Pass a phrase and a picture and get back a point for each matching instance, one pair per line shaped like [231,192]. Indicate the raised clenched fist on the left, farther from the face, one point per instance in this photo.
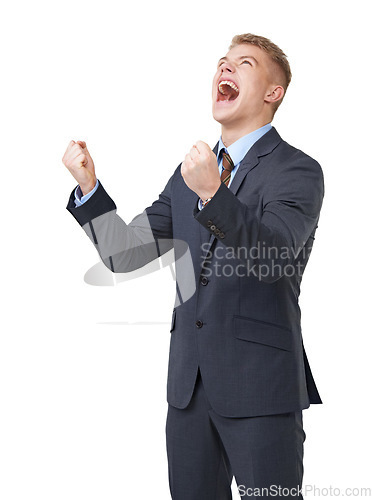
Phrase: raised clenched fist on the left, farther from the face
[80,164]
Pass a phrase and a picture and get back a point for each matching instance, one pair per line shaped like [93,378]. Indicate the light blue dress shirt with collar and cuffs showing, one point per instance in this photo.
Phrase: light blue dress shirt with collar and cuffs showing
[237,150]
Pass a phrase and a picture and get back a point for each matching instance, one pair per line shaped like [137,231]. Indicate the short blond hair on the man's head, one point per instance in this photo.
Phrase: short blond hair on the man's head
[276,54]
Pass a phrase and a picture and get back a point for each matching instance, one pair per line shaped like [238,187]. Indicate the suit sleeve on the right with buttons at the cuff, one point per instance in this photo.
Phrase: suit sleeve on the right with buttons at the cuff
[288,220]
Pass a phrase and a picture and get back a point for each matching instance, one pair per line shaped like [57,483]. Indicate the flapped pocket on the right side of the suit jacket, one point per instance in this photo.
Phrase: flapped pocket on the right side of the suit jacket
[260,332]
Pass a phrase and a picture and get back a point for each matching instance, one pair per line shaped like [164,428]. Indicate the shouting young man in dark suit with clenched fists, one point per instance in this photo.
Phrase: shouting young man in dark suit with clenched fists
[247,213]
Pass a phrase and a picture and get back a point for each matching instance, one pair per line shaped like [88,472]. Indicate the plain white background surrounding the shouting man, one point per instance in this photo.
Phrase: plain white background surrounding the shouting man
[83,368]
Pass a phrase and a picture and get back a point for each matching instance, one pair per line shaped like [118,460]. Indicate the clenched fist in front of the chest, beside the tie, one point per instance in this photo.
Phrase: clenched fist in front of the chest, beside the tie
[200,170]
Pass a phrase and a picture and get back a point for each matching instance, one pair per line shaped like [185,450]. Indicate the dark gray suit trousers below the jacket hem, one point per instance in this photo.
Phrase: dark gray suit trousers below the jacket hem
[205,450]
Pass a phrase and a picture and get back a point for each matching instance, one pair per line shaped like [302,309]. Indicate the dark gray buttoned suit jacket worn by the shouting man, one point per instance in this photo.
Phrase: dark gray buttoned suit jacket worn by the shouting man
[247,251]
